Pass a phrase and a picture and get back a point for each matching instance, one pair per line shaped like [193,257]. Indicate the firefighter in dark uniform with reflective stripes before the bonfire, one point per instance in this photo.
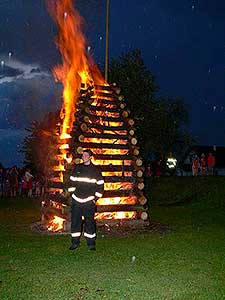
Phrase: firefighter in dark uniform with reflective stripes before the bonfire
[86,185]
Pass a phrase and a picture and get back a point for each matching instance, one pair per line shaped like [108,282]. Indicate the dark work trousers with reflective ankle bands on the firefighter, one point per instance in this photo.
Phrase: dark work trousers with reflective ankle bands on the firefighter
[87,211]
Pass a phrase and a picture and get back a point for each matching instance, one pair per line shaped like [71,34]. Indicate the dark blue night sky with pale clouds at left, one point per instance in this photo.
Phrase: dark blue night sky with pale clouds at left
[182,42]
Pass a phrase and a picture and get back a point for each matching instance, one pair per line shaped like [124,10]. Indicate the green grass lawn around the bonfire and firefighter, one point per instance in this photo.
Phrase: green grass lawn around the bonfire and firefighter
[186,263]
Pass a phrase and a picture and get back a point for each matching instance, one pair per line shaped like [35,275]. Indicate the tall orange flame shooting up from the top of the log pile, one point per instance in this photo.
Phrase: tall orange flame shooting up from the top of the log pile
[77,66]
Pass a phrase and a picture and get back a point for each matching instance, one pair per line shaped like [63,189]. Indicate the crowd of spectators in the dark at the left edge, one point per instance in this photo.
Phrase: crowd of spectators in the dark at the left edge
[20,182]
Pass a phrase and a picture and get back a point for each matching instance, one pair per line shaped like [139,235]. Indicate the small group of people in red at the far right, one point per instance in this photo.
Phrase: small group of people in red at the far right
[204,165]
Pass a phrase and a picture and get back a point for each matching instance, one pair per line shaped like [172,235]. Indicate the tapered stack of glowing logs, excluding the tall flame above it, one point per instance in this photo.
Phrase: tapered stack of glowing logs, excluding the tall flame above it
[102,124]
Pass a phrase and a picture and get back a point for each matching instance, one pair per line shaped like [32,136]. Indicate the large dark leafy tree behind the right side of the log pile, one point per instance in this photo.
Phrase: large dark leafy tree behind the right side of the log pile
[160,123]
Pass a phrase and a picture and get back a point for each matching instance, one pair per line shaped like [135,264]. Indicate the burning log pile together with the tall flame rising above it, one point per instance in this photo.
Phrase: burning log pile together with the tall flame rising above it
[93,116]
